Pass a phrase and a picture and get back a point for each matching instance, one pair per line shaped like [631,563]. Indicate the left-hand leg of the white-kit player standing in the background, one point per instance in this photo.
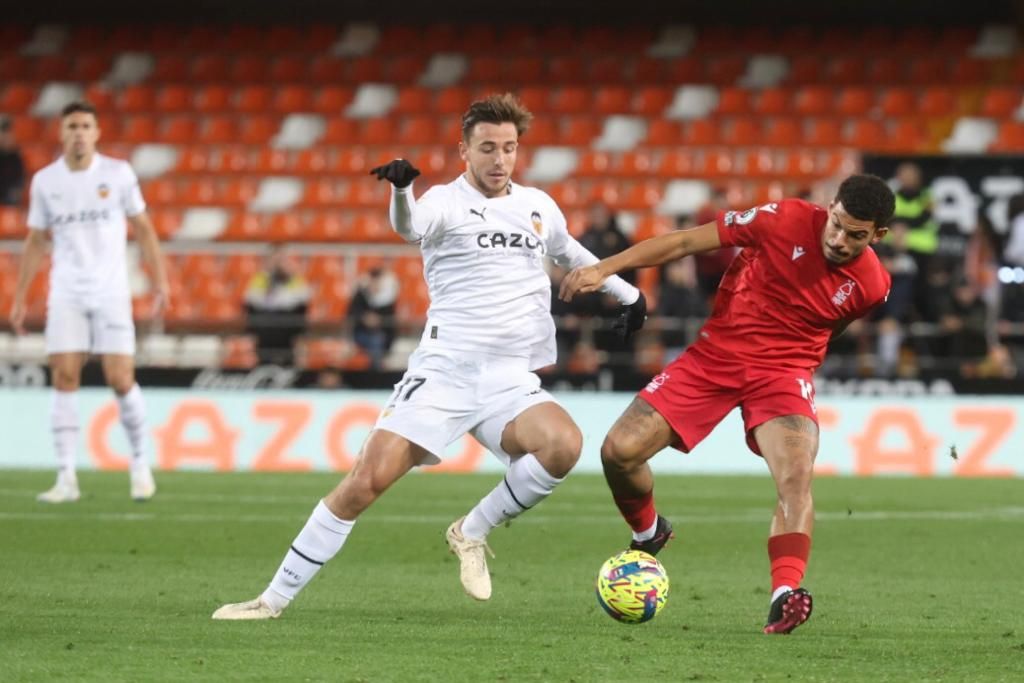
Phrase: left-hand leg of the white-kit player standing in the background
[66,372]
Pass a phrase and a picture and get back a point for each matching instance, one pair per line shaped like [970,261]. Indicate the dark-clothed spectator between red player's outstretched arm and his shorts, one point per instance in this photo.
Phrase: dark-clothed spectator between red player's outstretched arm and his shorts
[678,301]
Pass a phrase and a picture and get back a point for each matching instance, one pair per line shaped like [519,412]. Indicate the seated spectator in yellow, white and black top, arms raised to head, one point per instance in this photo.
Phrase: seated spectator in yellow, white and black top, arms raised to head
[277,301]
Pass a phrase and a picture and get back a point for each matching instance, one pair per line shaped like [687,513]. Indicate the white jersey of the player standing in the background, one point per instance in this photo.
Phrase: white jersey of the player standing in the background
[86,212]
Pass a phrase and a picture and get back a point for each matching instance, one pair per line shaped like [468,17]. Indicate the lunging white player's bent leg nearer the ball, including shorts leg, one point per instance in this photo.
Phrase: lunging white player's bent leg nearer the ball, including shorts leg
[541,444]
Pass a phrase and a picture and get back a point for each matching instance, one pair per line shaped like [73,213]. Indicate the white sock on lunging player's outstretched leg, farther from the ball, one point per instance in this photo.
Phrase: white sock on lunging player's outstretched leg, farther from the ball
[319,541]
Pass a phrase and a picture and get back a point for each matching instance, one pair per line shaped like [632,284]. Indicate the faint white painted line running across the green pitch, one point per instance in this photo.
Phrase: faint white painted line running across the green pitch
[1005,515]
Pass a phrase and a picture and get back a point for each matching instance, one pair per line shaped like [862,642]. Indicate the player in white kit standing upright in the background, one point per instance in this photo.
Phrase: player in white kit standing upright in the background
[81,202]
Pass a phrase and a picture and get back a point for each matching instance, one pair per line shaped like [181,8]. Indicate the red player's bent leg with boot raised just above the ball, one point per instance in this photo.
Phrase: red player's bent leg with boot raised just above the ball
[639,434]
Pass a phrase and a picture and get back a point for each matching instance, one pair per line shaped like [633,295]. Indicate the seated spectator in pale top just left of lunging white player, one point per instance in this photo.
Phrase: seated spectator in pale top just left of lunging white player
[372,314]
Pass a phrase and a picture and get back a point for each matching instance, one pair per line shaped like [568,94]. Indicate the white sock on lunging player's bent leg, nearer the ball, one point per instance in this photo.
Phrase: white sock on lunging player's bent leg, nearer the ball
[526,485]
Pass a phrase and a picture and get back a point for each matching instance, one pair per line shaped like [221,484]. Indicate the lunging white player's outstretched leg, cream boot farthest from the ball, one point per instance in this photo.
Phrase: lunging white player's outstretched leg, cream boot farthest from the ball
[385,459]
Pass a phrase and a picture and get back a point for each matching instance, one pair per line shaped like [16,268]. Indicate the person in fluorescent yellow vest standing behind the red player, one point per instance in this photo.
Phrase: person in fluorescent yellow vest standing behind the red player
[914,207]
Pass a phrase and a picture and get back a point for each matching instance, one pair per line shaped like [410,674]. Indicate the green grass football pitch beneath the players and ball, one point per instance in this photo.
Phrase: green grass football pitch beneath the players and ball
[913,580]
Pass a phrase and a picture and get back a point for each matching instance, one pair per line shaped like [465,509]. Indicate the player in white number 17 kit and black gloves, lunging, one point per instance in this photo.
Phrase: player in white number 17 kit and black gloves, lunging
[484,240]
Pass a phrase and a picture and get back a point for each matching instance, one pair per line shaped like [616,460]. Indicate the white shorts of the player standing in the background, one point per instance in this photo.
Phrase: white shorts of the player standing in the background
[98,327]
